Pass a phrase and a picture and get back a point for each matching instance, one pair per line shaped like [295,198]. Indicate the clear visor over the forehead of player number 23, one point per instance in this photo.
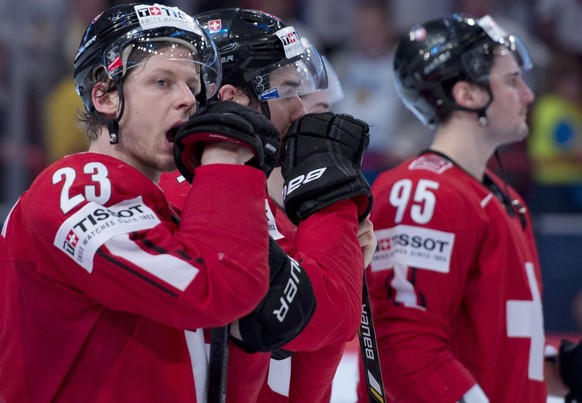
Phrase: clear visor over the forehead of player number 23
[182,46]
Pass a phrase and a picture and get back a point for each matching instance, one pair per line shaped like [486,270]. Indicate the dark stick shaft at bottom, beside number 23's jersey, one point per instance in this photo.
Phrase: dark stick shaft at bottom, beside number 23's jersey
[218,365]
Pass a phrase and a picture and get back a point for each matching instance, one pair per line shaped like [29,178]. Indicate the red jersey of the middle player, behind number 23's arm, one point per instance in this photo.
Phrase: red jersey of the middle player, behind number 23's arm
[326,246]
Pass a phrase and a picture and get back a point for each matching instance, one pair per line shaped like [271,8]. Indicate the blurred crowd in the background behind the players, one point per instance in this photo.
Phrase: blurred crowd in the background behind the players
[38,103]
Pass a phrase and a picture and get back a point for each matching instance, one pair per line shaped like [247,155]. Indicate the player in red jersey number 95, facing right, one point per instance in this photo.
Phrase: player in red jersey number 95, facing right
[455,283]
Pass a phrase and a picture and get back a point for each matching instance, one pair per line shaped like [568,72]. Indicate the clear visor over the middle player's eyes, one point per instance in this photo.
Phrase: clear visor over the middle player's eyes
[288,78]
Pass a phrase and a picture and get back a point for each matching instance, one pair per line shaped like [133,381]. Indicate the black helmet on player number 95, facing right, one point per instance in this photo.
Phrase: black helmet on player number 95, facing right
[433,56]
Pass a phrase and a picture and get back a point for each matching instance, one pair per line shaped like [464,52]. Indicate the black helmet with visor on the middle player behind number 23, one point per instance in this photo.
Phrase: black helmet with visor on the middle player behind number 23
[253,45]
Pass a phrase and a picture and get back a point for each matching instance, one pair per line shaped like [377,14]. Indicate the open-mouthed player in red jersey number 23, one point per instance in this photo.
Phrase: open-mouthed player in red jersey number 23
[104,287]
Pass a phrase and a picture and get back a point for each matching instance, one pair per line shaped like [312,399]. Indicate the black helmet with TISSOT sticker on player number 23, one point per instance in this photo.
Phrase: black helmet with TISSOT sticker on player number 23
[112,35]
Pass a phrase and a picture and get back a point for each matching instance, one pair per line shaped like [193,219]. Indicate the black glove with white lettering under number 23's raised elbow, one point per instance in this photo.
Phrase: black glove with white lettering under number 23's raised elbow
[285,310]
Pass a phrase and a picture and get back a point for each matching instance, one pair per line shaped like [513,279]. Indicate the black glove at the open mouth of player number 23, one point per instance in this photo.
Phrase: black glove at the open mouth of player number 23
[226,121]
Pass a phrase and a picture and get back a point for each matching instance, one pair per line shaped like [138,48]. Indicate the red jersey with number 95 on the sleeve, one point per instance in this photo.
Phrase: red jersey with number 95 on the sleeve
[455,286]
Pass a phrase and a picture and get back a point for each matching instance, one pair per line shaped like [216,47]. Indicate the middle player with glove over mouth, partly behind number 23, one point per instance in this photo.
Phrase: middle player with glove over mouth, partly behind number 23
[266,67]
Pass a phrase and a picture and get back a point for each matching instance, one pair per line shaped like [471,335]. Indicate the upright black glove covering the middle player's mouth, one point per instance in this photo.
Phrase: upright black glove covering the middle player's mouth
[321,164]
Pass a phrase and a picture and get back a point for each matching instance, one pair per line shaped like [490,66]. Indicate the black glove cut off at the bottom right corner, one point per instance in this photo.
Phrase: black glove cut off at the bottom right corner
[570,361]
